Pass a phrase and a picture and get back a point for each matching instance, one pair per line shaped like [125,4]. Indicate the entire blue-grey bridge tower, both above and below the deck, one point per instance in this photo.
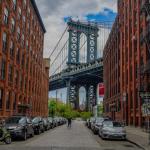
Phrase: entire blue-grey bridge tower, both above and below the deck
[75,29]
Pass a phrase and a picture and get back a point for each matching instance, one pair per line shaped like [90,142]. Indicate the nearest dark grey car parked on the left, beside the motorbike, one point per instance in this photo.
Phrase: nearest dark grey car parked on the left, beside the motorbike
[19,126]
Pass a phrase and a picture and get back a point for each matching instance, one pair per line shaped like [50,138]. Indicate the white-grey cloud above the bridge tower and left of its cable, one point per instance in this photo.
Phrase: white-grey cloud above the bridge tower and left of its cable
[53,12]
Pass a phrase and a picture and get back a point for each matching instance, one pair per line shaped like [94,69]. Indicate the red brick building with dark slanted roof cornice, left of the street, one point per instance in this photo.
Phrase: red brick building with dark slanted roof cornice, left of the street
[23,71]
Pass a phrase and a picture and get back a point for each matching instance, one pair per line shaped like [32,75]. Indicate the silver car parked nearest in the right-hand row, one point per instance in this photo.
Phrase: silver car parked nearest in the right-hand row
[112,130]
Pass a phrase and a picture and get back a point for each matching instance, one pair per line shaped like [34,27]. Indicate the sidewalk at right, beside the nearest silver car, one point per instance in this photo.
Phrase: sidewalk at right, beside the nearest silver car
[136,135]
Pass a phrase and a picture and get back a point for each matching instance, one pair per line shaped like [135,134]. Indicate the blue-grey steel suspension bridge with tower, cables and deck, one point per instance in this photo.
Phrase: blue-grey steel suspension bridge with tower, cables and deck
[76,60]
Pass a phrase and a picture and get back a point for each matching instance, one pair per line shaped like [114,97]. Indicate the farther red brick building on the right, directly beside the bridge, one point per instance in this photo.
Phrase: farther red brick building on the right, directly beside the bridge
[112,98]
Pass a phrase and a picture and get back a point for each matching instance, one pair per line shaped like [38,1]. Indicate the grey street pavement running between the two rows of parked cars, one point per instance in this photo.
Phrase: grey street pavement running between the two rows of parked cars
[62,138]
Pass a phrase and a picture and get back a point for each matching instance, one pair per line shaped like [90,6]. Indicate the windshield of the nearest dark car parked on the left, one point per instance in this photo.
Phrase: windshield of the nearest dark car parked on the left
[15,120]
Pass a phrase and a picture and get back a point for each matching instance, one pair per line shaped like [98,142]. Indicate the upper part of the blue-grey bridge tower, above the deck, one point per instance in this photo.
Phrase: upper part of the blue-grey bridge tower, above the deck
[75,29]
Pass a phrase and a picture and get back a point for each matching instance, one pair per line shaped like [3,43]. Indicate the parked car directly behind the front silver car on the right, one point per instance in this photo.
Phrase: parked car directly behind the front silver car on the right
[97,123]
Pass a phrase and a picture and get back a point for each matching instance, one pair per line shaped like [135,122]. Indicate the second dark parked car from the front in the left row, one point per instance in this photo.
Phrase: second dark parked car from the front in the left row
[38,125]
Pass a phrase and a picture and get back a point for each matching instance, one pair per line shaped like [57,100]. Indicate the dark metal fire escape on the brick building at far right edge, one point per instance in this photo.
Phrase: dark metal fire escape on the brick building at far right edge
[145,39]
